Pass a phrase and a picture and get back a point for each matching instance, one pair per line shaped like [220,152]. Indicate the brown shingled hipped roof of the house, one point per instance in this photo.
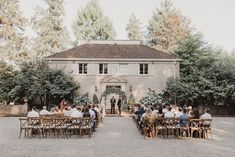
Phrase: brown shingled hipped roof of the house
[112,51]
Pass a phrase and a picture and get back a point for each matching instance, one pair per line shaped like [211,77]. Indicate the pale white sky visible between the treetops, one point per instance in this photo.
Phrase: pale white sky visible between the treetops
[214,18]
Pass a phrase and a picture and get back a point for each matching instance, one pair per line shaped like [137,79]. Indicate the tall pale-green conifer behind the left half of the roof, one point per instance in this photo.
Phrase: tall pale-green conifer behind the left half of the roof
[91,23]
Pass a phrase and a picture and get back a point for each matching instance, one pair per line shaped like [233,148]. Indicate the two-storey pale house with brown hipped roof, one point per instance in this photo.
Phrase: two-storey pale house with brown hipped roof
[127,65]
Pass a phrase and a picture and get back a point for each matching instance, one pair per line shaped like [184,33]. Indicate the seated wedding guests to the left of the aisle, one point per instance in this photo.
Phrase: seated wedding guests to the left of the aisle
[69,111]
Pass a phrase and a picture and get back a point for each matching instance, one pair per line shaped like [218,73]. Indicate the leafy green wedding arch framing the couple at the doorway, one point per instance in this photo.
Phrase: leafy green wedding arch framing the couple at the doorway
[110,91]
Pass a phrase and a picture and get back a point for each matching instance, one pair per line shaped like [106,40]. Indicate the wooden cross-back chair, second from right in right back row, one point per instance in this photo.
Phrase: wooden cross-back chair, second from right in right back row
[195,125]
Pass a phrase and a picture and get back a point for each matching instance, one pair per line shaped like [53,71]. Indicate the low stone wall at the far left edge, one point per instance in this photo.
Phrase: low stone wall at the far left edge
[13,110]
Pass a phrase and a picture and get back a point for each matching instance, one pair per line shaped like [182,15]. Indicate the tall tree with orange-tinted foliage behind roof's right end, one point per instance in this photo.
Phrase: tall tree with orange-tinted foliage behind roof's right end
[166,27]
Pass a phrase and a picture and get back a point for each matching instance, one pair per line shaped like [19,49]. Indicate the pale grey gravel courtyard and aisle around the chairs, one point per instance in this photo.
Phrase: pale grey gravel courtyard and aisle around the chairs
[118,137]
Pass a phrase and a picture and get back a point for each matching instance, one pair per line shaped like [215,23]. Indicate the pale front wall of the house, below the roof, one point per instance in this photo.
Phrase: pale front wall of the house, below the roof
[158,74]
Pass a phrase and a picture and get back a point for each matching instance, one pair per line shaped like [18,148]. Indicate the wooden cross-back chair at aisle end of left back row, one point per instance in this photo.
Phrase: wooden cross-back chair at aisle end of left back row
[86,126]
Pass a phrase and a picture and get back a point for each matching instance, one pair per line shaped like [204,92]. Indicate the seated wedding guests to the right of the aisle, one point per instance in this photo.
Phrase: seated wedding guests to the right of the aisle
[170,111]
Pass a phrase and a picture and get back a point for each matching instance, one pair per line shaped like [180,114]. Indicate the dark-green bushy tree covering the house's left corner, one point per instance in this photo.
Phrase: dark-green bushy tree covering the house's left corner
[36,79]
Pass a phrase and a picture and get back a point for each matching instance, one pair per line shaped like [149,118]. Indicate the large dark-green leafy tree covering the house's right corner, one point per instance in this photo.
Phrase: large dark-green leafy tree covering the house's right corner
[207,76]
